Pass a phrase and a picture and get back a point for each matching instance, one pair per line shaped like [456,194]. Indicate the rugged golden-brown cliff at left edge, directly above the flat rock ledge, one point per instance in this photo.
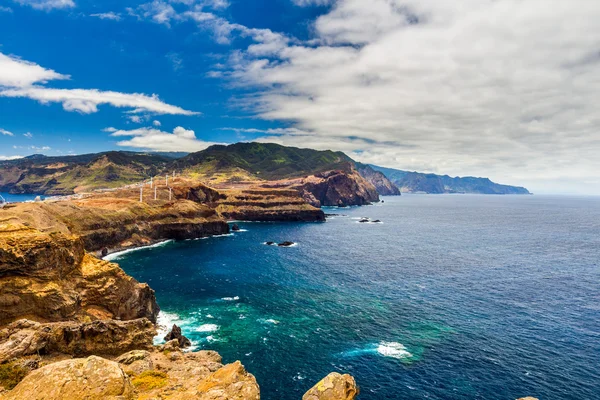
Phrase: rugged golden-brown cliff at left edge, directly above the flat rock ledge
[48,277]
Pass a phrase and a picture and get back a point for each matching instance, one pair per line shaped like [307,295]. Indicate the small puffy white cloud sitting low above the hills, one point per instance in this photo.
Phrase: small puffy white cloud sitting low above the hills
[154,139]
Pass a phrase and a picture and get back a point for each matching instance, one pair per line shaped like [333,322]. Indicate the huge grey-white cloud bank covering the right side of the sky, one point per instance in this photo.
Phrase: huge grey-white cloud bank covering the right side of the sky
[504,88]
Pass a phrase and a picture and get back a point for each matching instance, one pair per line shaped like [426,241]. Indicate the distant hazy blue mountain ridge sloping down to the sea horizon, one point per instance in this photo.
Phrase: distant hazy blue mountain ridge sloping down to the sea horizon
[414,182]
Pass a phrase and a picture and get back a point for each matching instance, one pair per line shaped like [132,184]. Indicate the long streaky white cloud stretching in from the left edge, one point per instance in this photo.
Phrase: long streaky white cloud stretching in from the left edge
[20,78]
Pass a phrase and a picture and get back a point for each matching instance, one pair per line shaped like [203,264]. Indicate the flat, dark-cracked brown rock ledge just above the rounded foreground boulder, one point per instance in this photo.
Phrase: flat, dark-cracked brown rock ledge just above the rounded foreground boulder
[24,337]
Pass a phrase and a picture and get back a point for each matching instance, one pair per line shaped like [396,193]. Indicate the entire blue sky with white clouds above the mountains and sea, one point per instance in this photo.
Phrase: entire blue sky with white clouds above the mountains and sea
[506,89]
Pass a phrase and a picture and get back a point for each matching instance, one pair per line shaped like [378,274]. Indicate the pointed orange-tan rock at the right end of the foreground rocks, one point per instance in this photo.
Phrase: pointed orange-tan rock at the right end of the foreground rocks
[229,383]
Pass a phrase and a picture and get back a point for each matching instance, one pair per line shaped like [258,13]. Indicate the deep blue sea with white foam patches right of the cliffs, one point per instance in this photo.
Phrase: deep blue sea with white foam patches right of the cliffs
[451,297]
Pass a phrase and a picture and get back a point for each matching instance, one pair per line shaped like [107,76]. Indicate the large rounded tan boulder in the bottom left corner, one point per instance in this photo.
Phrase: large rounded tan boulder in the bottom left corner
[92,378]
